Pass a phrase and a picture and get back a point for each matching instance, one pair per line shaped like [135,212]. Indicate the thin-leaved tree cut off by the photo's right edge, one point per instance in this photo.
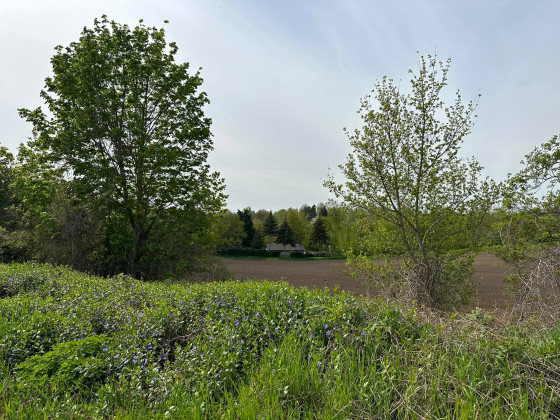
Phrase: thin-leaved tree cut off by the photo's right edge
[531,215]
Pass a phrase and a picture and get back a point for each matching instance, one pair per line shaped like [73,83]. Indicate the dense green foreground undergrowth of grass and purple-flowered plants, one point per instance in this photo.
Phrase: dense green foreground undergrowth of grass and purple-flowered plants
[77,346]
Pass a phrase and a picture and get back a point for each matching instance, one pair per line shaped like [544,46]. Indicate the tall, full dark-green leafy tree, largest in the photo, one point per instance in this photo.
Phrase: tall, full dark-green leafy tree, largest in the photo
[126,124]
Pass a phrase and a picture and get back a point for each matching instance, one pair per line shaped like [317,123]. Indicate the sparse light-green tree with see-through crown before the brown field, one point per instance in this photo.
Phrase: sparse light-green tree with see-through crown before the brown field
[405,169]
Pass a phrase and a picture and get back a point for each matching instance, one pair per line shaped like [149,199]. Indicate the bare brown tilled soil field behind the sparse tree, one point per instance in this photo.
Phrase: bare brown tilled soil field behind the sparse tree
[329,273]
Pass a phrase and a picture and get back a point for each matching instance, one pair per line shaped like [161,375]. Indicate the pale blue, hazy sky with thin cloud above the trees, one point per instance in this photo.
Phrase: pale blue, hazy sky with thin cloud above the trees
[285,77]
